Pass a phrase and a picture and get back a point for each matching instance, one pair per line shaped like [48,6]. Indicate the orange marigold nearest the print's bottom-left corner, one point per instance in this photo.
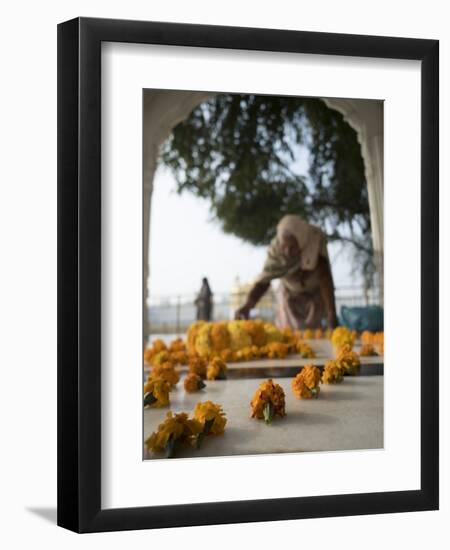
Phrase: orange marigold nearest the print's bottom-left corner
[175,430]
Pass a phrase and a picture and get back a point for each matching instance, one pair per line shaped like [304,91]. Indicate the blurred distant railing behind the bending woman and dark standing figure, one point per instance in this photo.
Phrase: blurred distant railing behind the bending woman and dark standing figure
[175,313]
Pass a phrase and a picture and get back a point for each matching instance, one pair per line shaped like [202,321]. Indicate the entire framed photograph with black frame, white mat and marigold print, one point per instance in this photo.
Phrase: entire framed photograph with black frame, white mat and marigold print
[242,215]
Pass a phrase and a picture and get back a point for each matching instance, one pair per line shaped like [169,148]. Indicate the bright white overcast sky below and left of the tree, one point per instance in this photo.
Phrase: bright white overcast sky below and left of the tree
[186,245]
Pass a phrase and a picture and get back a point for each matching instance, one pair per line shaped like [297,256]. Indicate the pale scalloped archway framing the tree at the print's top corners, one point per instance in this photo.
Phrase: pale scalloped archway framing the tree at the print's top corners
[164,109]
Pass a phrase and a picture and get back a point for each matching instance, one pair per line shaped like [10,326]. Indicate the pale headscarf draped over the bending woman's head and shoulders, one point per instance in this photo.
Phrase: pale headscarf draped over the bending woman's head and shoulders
[311,241]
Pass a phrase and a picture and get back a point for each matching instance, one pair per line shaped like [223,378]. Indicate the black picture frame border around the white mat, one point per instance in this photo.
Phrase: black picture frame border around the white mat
[79,274]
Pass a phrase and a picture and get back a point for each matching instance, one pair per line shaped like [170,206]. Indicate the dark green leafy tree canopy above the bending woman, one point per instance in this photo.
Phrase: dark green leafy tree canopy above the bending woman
[241,153]
